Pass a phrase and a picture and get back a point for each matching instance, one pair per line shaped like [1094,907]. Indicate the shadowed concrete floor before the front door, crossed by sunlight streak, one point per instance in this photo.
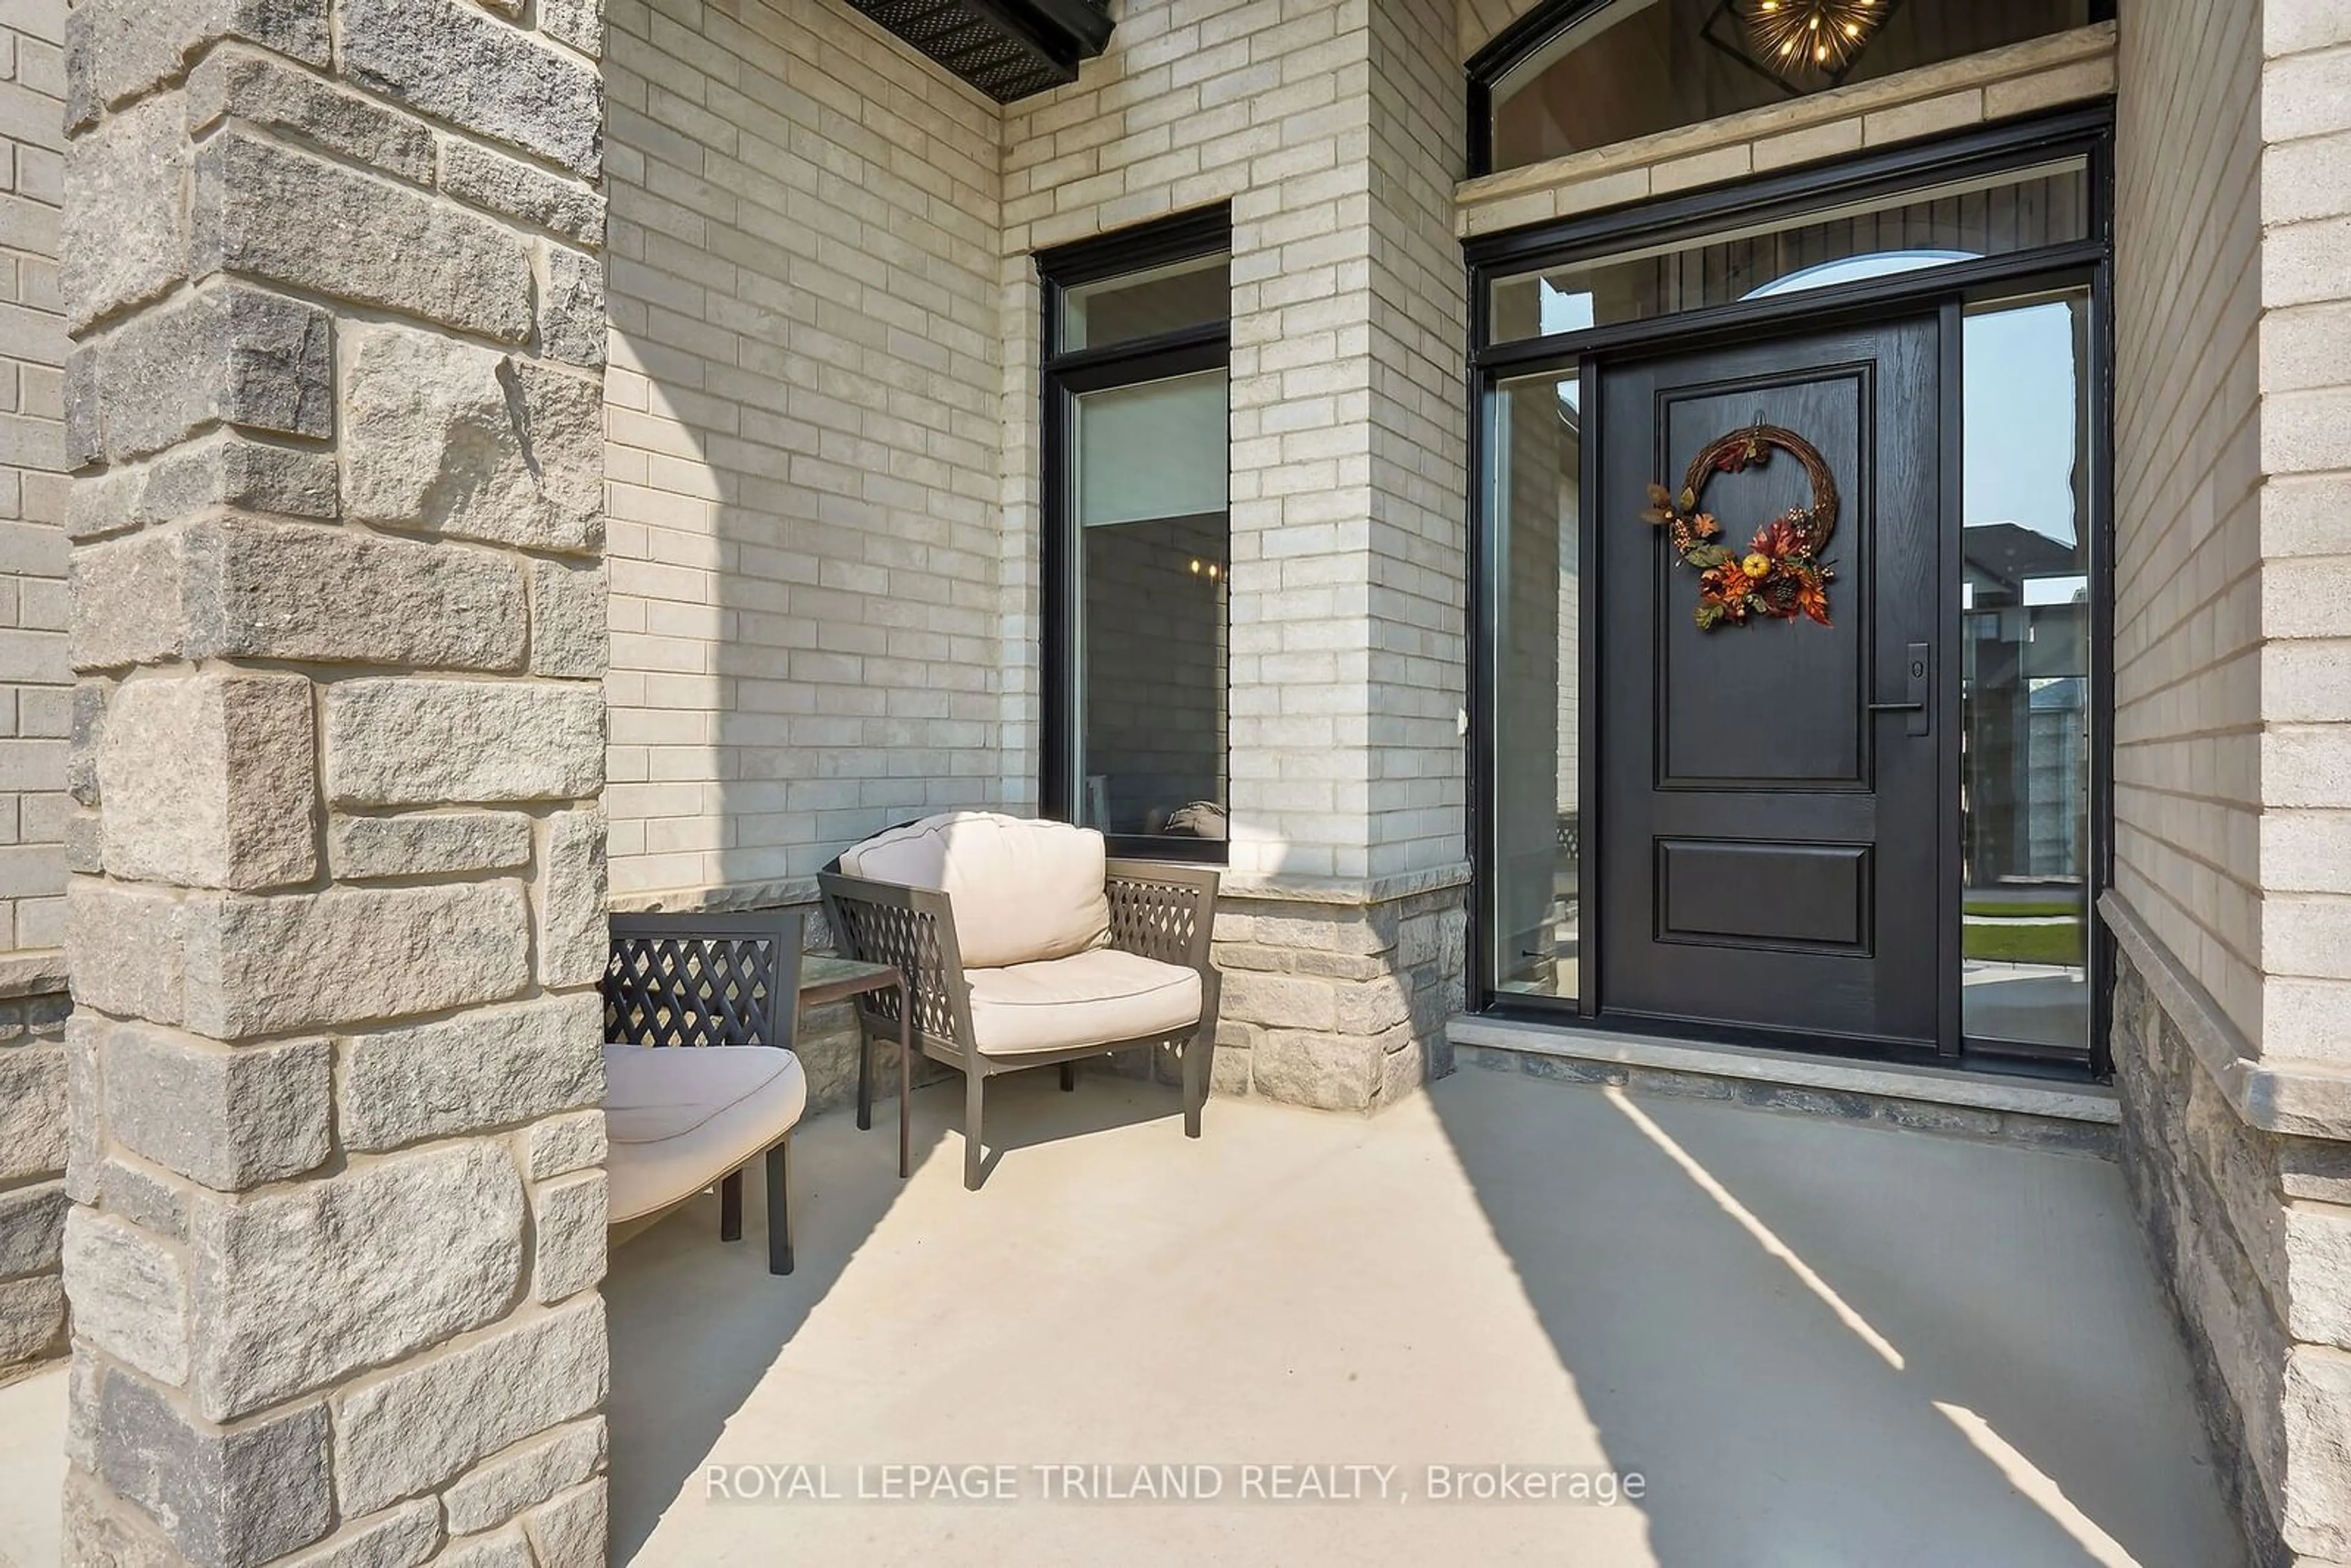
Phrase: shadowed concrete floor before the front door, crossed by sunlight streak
[1849,1346]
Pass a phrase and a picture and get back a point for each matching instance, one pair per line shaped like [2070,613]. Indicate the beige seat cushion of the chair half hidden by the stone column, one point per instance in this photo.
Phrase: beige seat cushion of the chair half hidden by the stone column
[685,1118]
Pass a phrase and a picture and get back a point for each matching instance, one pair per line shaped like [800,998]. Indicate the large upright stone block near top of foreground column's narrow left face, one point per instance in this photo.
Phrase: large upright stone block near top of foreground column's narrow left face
[126,227]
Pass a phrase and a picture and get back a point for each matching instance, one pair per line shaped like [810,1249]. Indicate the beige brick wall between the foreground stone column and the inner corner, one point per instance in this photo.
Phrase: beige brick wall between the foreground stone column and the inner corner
[805,453]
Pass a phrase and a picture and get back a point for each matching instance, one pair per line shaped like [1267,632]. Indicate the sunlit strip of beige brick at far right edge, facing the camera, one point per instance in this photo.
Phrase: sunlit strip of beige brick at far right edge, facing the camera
[2305,460]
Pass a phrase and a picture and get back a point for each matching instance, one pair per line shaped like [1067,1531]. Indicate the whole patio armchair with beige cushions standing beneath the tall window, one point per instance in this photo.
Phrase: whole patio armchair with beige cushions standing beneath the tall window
[1024,944]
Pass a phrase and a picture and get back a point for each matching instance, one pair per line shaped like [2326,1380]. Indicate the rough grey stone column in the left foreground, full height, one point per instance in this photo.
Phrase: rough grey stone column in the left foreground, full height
[335,927]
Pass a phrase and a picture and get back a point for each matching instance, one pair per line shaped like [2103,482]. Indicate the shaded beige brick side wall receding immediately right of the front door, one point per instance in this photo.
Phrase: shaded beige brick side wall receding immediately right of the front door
[2188,615]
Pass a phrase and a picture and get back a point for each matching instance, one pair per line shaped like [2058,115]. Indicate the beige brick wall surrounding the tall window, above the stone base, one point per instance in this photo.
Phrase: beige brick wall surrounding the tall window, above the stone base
[1334,130]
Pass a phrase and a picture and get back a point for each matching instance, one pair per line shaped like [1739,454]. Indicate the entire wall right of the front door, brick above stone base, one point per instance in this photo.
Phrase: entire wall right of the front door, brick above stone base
[2232,815]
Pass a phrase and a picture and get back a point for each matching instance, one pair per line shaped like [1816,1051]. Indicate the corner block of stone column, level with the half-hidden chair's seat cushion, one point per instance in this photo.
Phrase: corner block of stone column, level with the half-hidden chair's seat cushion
[229,1118]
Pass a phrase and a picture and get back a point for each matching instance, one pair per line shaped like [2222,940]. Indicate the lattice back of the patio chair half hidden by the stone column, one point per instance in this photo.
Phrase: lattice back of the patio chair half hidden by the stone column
[704,979]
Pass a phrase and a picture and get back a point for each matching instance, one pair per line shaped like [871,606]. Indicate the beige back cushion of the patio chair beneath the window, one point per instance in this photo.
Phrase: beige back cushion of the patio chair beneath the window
[1022,890]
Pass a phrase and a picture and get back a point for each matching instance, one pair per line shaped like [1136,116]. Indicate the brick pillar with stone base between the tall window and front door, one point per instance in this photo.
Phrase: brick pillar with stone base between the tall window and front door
[1341,930]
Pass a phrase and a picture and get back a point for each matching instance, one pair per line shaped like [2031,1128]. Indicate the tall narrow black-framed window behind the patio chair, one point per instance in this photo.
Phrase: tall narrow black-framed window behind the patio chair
[1139,544]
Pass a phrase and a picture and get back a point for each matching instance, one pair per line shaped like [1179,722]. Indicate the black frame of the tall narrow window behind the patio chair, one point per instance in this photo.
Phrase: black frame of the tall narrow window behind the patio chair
[1064,375]
